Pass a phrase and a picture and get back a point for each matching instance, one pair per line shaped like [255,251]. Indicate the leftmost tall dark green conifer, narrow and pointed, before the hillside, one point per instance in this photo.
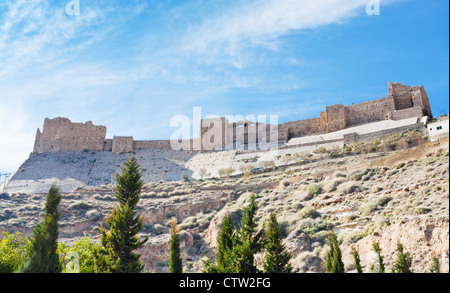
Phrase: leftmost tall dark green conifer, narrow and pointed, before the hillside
[44,245]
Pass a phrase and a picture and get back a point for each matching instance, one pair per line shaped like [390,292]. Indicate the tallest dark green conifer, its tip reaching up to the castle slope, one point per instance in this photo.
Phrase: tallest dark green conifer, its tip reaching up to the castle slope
[116,254]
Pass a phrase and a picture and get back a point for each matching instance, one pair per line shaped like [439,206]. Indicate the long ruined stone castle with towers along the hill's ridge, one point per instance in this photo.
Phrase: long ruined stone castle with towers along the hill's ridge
[402,102]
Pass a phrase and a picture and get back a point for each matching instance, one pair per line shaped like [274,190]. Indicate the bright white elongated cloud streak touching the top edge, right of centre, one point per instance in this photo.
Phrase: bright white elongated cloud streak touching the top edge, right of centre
[261,22]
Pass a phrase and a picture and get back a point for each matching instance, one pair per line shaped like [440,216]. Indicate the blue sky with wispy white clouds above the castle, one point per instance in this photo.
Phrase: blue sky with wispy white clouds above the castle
[133,65]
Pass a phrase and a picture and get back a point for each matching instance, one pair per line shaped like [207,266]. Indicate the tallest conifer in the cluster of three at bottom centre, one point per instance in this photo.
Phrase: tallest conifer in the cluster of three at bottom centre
[248,242]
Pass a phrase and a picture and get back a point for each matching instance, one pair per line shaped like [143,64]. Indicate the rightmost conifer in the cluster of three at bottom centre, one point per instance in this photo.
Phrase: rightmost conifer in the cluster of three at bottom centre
[276,259]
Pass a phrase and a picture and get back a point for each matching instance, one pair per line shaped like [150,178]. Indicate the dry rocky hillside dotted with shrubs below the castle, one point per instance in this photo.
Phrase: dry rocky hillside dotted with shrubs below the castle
[376,194]
